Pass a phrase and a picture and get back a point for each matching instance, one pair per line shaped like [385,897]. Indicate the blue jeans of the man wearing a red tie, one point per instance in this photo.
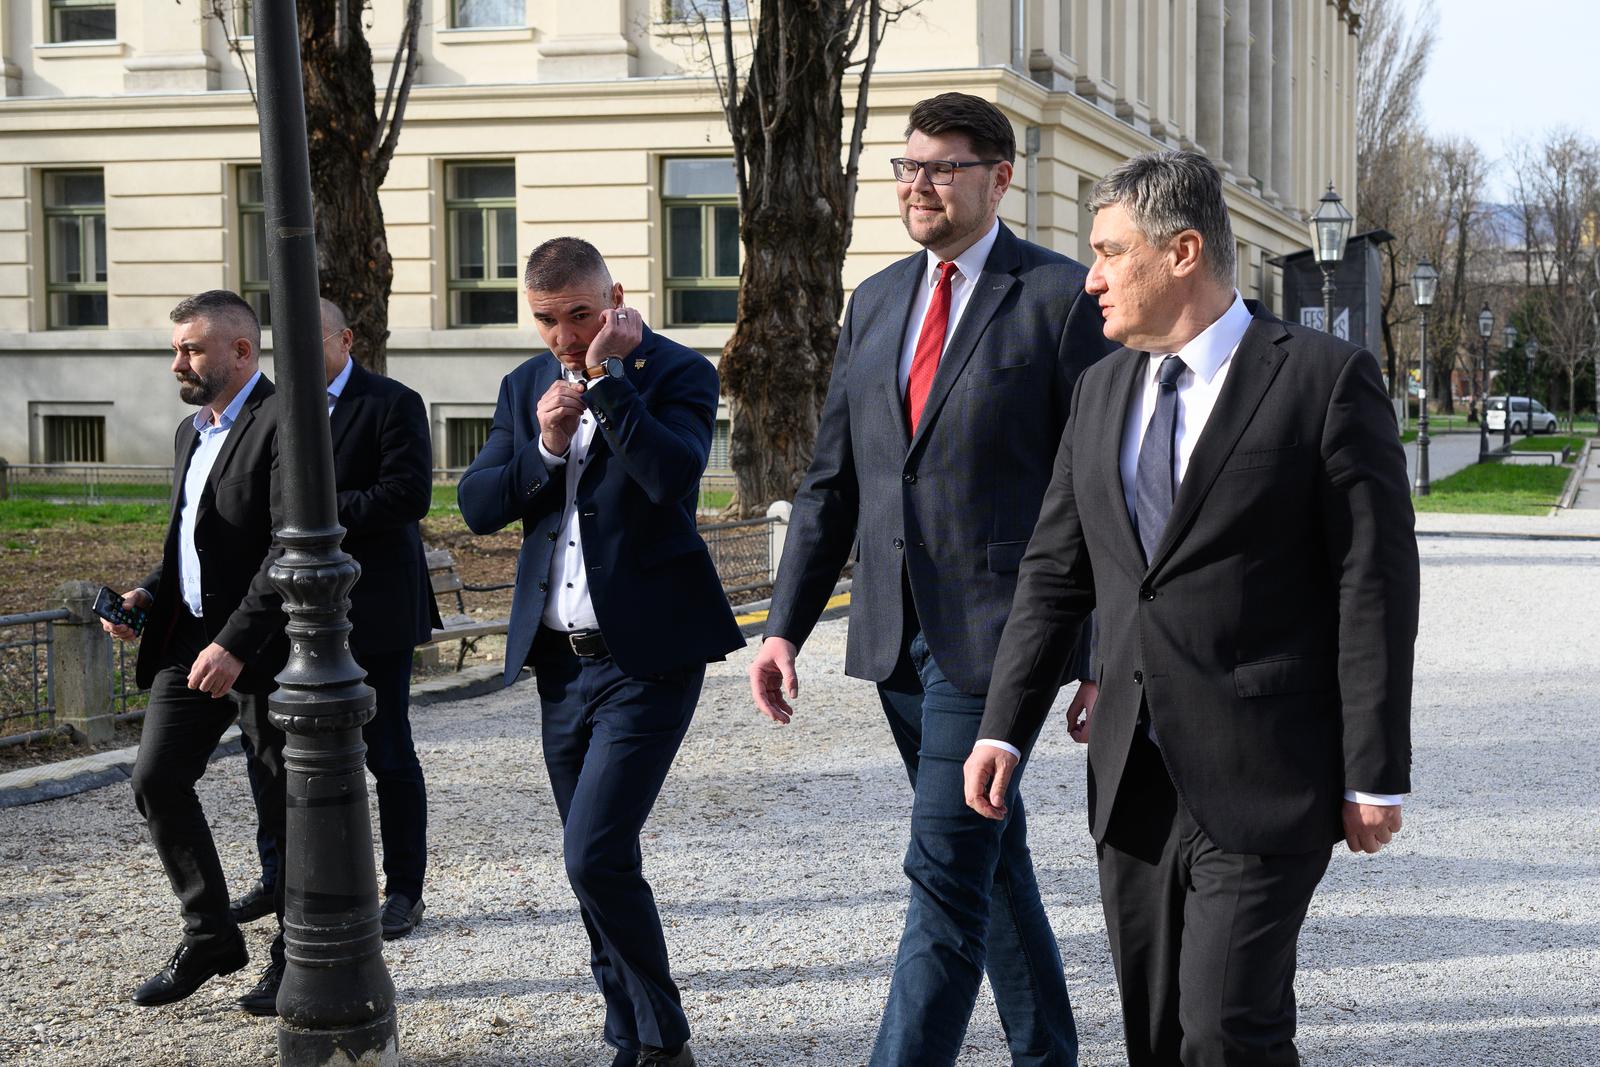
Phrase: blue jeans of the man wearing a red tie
[974,898]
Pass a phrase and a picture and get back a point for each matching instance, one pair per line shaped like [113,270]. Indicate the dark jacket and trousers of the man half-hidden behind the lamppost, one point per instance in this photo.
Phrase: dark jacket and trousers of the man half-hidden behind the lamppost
[383,478]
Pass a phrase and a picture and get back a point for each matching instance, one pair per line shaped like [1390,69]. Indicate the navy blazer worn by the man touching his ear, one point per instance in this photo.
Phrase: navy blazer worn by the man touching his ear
[652,581]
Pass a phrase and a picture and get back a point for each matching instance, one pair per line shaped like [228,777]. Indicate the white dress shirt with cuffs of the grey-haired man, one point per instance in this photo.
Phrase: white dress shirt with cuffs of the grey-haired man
[1207,361]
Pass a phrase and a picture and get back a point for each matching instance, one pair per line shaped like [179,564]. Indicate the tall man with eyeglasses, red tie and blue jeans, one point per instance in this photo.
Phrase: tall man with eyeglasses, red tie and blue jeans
[950,394]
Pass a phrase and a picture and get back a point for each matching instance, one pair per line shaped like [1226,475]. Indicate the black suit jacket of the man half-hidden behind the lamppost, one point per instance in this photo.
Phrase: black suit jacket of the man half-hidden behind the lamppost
[383,465]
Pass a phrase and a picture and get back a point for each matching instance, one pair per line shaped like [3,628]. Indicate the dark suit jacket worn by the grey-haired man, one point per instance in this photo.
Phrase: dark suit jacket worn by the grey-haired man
[1271,637]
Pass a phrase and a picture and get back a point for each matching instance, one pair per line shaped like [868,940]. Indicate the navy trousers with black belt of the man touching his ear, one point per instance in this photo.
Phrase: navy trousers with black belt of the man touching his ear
[609,743]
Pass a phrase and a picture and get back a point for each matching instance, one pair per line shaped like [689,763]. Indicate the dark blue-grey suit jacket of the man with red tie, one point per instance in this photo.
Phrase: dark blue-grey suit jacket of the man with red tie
[950,510]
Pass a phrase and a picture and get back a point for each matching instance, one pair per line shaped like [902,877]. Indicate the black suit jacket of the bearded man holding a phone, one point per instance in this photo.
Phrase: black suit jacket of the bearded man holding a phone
[234,541]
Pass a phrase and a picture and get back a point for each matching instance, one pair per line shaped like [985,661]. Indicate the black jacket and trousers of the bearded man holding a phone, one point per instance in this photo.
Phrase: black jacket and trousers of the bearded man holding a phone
[242,613]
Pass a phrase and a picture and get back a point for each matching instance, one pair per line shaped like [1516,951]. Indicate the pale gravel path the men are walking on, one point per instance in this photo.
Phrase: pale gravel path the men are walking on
[775,857]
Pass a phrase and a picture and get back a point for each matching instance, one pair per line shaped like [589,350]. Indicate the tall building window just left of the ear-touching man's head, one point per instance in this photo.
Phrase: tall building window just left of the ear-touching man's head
[481,209]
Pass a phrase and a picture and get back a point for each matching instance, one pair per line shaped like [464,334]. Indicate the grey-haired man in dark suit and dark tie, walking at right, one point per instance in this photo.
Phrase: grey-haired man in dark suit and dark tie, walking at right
[1231,500]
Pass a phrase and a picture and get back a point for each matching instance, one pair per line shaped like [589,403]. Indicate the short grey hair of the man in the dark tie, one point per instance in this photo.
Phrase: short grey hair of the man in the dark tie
[1170,193]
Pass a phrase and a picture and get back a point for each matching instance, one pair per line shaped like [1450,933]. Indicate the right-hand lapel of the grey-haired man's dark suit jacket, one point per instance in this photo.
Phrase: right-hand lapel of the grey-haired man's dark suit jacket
[1250,375]
